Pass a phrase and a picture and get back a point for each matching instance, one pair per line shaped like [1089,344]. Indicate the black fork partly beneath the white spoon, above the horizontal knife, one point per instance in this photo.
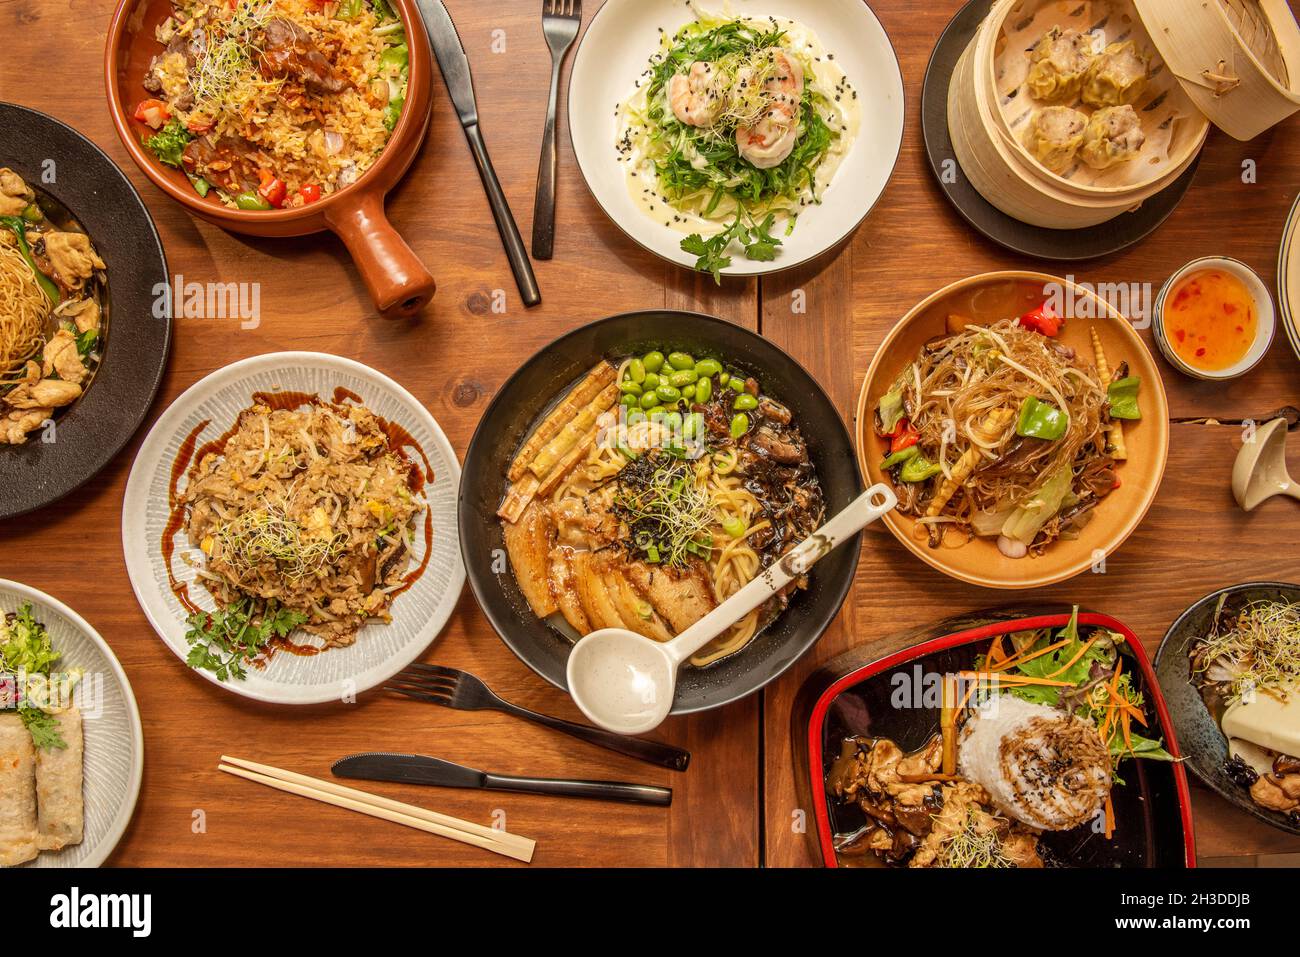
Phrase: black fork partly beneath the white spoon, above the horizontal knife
[462,691]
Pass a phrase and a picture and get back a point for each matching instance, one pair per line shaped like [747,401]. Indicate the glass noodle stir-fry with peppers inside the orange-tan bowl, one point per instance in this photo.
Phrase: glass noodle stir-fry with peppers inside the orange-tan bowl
[1004,431]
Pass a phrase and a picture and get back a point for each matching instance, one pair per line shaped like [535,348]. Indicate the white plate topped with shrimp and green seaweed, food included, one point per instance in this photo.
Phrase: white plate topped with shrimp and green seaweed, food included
[731,140]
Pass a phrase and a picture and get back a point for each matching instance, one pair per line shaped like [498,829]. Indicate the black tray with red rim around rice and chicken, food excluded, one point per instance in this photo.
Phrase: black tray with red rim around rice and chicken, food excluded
[859,694]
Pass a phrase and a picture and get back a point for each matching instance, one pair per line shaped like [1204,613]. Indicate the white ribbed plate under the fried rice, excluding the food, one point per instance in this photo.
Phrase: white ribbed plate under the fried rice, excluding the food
[380,651]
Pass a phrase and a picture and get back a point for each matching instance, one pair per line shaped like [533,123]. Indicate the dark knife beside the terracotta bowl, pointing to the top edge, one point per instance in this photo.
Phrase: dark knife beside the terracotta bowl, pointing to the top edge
[461,85]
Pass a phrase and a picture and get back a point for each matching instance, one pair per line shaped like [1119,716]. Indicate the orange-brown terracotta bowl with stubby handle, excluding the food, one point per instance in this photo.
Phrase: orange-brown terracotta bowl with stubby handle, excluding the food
[395,276]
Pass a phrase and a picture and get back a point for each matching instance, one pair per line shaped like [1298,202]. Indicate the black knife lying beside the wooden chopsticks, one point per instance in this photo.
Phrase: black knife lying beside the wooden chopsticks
[422,769]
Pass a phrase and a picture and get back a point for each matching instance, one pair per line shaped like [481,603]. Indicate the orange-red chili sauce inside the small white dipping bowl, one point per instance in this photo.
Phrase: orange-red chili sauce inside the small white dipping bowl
[1211,319]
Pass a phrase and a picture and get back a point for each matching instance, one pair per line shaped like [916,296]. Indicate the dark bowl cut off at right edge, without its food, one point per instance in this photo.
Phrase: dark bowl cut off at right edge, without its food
[1204,743]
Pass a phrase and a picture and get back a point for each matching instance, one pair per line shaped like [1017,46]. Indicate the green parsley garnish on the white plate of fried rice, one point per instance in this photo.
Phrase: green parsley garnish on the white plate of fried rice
[227,640]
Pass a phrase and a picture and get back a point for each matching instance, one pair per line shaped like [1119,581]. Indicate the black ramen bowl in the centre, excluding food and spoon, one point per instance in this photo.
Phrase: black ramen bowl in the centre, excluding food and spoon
[543,382]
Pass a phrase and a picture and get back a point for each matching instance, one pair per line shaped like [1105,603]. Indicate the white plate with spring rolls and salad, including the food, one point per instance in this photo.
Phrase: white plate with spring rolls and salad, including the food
[72,751]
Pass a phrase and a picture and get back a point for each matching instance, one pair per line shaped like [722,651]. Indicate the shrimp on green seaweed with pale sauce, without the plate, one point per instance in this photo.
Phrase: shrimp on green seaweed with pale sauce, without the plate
[736,125]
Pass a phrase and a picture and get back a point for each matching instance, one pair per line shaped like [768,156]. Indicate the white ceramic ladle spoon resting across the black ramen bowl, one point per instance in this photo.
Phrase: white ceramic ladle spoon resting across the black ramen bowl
[626,682]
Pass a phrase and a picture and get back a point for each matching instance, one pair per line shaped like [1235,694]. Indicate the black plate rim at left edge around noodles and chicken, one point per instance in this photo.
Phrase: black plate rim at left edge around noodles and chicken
[76,176]
